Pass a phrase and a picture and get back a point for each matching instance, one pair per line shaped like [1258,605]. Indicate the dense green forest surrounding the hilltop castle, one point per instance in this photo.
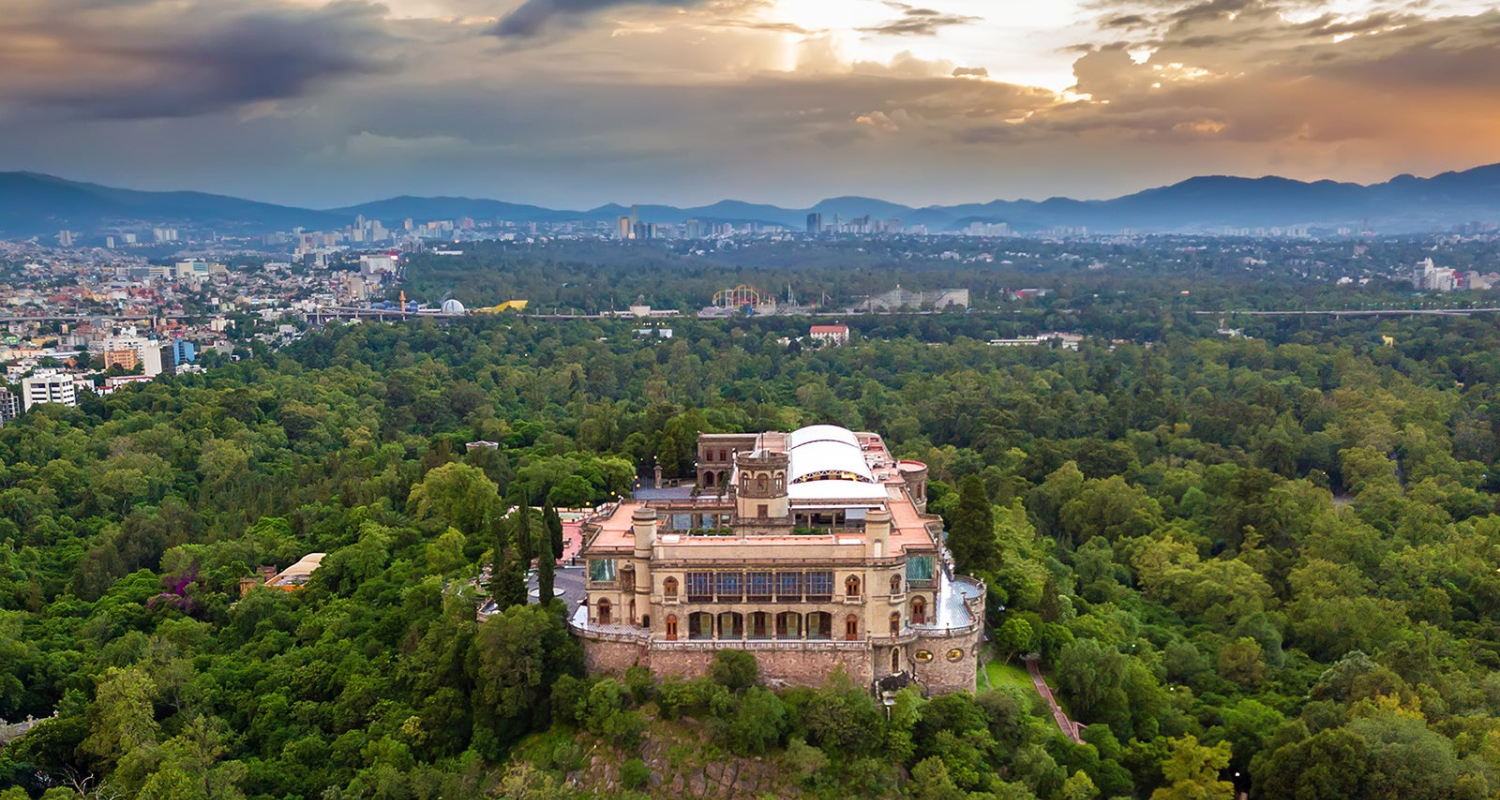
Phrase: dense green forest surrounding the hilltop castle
[1258,565]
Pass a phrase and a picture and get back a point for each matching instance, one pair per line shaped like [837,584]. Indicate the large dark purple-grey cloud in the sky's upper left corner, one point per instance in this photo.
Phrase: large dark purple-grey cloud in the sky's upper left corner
[146,61]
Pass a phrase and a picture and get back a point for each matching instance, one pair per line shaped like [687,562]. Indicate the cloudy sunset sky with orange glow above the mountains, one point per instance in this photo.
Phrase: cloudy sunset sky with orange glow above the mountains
[581,103]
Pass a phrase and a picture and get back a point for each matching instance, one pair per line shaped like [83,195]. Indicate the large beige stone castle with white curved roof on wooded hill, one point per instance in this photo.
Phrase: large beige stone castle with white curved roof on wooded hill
[812,550]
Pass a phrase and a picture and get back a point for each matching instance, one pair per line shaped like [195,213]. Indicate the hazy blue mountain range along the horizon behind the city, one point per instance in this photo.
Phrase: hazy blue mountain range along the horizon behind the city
[37,205]
